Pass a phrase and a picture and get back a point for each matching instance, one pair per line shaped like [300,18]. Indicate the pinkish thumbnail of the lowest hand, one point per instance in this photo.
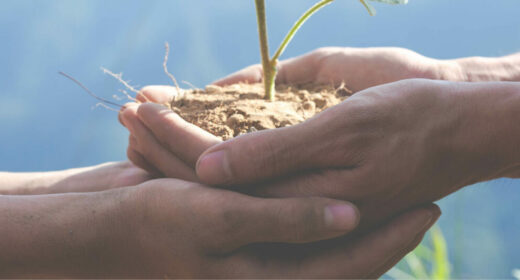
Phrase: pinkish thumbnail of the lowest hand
[341,217]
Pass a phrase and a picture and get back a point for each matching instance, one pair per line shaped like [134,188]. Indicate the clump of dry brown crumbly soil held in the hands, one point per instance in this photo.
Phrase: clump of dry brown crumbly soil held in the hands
[237,109]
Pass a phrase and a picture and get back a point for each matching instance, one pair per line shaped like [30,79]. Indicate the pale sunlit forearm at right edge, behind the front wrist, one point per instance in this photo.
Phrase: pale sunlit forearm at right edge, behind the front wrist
[482,69]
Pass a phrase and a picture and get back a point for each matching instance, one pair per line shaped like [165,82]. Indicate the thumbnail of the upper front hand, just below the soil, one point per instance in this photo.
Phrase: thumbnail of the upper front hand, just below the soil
[214,168]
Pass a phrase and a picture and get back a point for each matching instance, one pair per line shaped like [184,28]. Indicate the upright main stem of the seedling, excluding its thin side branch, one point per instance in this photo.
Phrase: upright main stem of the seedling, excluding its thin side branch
[267,65]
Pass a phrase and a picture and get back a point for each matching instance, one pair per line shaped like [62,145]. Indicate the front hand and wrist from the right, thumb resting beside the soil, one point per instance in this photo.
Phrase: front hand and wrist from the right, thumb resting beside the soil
[386,149]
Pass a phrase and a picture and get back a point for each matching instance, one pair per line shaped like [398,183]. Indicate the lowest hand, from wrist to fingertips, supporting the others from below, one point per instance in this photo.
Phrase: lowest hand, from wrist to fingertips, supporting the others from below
[185,229]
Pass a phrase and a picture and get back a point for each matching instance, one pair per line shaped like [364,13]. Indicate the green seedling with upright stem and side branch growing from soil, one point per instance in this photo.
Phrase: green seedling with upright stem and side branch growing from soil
[269,64]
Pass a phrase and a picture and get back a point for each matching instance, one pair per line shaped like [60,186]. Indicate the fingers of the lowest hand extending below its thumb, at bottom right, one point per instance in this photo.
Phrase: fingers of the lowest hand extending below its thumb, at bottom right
[375,252]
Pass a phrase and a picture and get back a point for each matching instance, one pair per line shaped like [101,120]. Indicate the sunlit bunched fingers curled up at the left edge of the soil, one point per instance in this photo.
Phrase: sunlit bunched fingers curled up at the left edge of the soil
[160,141]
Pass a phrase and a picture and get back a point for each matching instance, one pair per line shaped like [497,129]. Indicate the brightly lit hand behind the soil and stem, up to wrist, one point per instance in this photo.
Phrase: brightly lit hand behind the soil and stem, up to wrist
[358,68]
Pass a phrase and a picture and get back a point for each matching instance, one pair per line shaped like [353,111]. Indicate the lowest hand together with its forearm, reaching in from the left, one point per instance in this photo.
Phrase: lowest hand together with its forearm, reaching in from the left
[169,228]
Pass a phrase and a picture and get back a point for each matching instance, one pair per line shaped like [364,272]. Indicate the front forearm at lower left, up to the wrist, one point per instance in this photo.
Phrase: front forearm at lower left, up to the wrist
[66,235]
